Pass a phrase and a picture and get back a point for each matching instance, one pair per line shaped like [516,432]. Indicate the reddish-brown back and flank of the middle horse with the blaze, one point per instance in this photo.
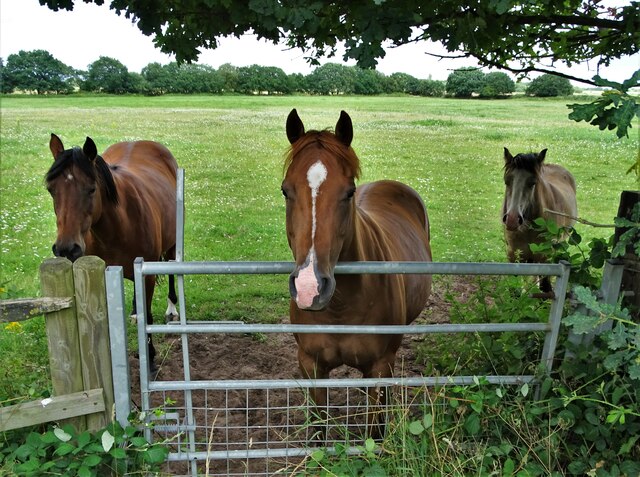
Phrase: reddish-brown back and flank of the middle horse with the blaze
[399,231]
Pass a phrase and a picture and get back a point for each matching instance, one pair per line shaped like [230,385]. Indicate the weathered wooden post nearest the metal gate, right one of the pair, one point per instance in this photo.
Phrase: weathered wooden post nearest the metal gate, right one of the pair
[93,327]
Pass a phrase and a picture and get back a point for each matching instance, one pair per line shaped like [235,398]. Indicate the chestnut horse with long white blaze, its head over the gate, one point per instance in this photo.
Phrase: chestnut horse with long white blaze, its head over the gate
[330,220]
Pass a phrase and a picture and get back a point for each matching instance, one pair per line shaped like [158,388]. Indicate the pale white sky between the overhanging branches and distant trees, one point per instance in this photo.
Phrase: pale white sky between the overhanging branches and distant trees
[80,37]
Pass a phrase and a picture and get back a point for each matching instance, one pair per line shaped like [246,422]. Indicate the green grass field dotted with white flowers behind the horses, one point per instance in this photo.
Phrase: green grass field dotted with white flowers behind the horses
[232,150]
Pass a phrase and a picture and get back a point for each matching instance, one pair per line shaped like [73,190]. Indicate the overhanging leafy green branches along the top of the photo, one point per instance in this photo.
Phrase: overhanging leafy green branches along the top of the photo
[520,37]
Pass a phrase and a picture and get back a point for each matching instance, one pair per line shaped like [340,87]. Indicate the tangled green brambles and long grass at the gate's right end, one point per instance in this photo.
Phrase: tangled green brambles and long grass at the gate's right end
[583,420]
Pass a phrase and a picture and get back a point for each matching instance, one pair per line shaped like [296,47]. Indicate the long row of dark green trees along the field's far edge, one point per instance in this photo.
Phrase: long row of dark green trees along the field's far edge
[40,72]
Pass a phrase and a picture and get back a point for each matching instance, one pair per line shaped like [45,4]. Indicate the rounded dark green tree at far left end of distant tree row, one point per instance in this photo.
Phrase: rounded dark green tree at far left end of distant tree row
[38,71]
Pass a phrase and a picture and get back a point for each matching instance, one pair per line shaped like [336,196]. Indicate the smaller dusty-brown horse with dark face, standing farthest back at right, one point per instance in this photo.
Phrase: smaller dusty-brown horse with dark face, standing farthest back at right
[532,186]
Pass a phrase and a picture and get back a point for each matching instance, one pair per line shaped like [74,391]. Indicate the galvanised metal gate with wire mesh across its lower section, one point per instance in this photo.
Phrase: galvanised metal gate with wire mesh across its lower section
[230,427]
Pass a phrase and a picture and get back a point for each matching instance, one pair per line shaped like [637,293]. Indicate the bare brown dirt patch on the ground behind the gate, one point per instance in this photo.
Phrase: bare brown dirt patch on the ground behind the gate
[232,420]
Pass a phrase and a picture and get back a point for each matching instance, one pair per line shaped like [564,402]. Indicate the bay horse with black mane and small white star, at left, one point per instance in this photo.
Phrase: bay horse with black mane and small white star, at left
[118,206]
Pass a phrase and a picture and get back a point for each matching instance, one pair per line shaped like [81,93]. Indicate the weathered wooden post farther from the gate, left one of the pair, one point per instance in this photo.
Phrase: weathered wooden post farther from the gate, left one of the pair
[56,280]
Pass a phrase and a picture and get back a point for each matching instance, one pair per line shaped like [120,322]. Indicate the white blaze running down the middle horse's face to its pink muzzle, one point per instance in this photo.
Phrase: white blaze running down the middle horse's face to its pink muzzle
[306,282]
